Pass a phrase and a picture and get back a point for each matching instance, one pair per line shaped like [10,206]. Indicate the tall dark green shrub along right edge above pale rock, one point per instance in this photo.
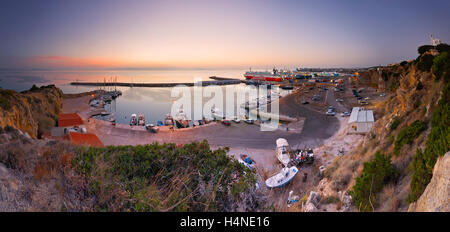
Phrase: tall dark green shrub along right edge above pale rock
[437,144]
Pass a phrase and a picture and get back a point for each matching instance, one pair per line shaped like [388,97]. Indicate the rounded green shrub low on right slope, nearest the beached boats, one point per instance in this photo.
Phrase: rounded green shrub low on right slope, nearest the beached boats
[376,174]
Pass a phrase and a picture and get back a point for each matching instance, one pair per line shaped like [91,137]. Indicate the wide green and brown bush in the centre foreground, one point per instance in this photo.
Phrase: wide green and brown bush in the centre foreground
[163,177]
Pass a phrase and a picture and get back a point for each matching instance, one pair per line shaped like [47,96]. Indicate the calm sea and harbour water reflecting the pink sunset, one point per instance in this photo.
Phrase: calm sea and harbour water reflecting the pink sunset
[154,103]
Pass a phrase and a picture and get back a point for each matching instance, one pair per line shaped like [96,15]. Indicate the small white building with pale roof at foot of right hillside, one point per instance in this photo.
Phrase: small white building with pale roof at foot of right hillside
[361,121]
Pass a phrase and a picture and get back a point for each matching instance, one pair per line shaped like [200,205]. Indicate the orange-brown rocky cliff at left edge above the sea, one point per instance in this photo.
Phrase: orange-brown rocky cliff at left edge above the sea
[33,111]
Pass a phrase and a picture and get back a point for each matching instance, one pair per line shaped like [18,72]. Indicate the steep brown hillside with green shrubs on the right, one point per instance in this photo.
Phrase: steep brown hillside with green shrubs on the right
[394,164]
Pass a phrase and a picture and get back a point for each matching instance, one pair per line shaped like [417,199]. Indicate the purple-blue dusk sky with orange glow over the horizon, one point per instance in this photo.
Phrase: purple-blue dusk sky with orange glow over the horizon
[138,34]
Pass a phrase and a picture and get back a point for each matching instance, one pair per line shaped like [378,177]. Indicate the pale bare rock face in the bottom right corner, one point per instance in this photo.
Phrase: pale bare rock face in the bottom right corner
[436,197]
